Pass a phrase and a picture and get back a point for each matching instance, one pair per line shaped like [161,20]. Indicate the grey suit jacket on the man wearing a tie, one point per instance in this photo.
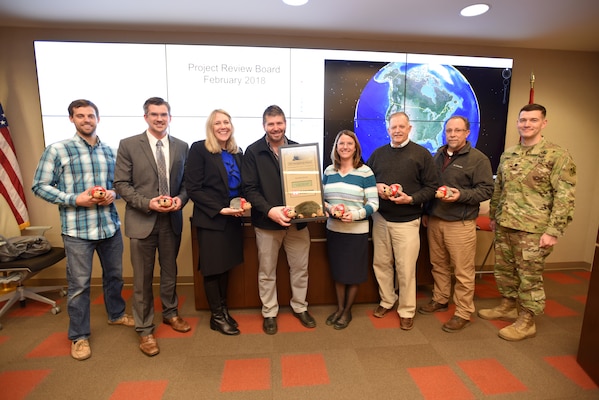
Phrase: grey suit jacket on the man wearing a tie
[136,181]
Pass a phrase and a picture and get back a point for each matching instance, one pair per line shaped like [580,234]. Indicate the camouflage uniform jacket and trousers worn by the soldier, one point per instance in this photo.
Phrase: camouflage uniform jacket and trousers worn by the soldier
[533,195]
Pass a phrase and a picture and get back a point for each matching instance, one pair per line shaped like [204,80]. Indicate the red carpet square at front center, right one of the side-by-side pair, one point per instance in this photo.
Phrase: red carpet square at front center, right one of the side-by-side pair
[304,370]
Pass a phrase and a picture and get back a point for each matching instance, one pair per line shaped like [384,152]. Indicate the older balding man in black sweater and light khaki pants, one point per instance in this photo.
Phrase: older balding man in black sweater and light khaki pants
[396,225]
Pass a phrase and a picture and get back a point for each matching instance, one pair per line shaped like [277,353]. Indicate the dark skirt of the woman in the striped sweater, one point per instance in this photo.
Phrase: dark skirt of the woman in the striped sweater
[348,257]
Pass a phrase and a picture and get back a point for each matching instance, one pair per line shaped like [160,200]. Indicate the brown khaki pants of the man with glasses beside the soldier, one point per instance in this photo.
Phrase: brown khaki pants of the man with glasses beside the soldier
[452,246]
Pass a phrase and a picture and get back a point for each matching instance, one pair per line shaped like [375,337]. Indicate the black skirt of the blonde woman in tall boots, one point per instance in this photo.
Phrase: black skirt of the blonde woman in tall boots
[220,250]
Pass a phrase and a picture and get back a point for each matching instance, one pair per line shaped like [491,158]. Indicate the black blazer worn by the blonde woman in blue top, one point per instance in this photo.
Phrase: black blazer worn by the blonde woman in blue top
[208,186]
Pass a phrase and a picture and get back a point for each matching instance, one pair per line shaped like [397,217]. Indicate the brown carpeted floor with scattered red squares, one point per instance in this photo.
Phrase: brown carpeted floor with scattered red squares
[371,359]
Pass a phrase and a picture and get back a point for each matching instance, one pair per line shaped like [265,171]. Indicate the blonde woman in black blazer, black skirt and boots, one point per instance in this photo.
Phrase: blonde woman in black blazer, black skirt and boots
[212,179]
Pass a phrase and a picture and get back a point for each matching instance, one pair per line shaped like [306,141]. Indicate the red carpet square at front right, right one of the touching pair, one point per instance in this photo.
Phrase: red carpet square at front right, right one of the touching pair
[491,377]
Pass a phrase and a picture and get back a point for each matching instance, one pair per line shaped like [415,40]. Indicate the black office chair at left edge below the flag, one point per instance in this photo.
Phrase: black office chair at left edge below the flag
[21,269]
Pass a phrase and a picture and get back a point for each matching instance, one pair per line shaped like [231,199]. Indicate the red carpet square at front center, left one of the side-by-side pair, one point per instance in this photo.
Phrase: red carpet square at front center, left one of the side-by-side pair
[247,374]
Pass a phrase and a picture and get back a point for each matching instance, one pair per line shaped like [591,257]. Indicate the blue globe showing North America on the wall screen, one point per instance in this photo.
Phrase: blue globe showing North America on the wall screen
[428,93]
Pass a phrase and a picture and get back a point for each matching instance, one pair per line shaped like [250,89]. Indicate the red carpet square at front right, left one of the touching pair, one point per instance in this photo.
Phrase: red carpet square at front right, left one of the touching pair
[439,382]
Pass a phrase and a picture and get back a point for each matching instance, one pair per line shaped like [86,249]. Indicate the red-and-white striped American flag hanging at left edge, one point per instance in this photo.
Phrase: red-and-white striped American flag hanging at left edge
[11,182]
